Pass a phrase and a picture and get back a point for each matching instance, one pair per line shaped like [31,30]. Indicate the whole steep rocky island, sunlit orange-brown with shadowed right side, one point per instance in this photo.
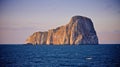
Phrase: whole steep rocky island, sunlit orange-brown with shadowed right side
[79,30]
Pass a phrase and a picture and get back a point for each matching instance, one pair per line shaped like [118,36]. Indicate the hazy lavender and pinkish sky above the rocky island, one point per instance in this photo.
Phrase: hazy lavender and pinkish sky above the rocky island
[21,18]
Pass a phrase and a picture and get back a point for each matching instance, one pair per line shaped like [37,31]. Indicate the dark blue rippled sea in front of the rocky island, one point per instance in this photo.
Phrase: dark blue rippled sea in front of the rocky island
[104,55]
